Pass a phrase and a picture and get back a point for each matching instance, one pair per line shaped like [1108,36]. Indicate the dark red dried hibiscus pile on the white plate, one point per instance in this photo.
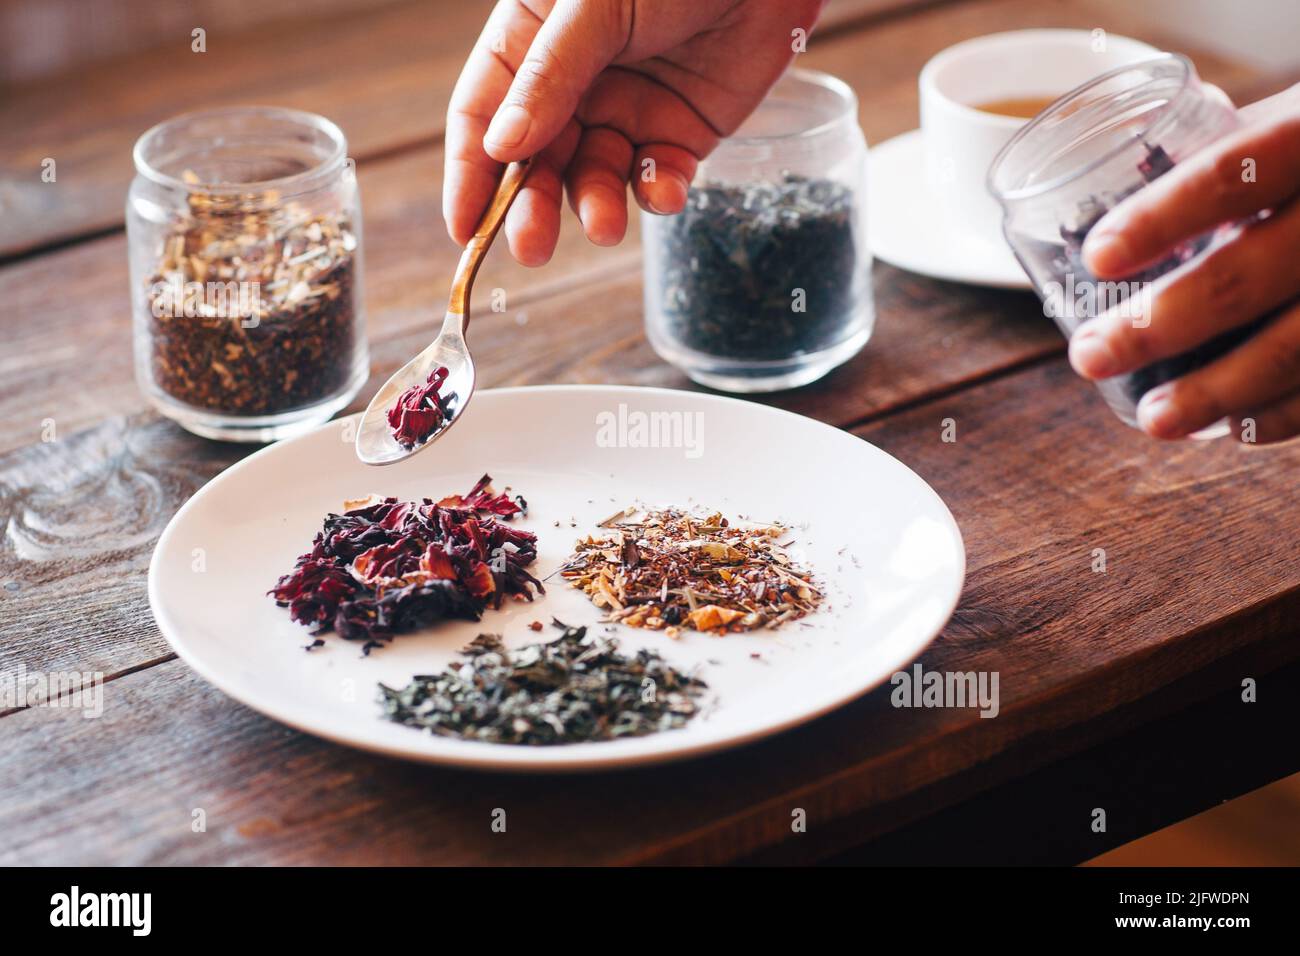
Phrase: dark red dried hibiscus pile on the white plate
[387,566]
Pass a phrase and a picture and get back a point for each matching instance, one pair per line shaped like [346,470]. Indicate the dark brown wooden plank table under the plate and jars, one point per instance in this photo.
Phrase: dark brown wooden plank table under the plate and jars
[1119,690]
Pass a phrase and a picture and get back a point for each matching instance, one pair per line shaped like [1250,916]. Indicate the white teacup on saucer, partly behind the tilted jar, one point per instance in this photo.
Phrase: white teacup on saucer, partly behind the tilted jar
[961,141]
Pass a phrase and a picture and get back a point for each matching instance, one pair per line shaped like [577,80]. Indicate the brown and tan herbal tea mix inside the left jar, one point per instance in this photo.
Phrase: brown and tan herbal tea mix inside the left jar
[283,332]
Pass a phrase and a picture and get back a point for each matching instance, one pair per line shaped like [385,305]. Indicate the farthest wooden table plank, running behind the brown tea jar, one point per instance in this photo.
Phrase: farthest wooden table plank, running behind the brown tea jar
[384,75]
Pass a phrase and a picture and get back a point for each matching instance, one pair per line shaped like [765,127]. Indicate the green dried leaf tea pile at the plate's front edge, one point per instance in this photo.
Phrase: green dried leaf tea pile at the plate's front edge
[573,690]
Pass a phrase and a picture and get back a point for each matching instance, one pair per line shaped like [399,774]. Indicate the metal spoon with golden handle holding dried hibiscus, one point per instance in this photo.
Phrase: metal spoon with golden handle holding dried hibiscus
[375,442]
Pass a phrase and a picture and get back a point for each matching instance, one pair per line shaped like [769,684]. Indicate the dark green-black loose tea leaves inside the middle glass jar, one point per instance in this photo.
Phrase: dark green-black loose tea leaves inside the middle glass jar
[764,271]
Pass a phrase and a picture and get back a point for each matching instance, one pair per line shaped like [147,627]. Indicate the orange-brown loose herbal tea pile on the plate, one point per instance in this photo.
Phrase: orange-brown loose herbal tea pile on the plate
[670,570]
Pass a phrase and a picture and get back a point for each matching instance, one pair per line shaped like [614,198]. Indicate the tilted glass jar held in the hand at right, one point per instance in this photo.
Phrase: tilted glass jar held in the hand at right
[1081,157]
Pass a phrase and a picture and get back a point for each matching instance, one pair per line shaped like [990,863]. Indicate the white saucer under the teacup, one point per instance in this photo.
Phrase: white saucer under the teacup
[909,228]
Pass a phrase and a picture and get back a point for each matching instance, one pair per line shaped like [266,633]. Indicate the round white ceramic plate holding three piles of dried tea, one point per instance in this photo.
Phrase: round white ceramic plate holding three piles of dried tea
[881,540]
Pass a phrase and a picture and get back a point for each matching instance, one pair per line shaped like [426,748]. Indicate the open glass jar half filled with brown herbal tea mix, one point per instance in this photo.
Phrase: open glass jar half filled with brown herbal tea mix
[245,236]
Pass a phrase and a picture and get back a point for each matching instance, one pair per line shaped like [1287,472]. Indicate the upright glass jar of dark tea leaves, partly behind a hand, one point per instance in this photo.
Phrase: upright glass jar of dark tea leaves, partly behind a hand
[764,282]
